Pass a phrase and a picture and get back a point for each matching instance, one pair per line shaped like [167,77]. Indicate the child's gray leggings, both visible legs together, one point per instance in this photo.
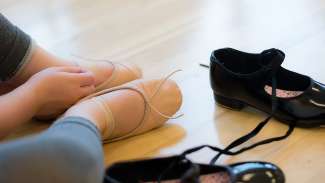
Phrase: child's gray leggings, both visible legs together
[69,151]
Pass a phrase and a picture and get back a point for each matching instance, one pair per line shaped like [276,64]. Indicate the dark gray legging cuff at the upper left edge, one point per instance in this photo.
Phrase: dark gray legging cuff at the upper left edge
[15,47]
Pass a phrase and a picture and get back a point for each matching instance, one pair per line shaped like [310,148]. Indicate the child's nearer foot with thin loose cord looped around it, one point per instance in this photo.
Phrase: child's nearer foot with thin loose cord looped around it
[130,109]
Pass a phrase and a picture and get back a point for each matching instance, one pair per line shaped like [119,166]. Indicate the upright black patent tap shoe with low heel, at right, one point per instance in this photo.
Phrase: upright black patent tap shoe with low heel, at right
[241,79]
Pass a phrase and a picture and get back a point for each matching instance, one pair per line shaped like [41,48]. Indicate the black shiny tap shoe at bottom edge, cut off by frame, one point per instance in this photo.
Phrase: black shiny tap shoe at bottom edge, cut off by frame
[179,169]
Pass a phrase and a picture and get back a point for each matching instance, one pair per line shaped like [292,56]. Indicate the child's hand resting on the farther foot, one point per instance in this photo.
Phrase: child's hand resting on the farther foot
[58,88]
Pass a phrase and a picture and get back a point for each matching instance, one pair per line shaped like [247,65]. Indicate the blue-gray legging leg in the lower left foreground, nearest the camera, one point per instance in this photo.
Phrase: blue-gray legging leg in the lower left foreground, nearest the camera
[70,151]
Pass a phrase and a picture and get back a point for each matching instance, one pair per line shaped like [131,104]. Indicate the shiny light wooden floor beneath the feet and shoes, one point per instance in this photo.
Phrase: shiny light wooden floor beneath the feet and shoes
[164,35]
